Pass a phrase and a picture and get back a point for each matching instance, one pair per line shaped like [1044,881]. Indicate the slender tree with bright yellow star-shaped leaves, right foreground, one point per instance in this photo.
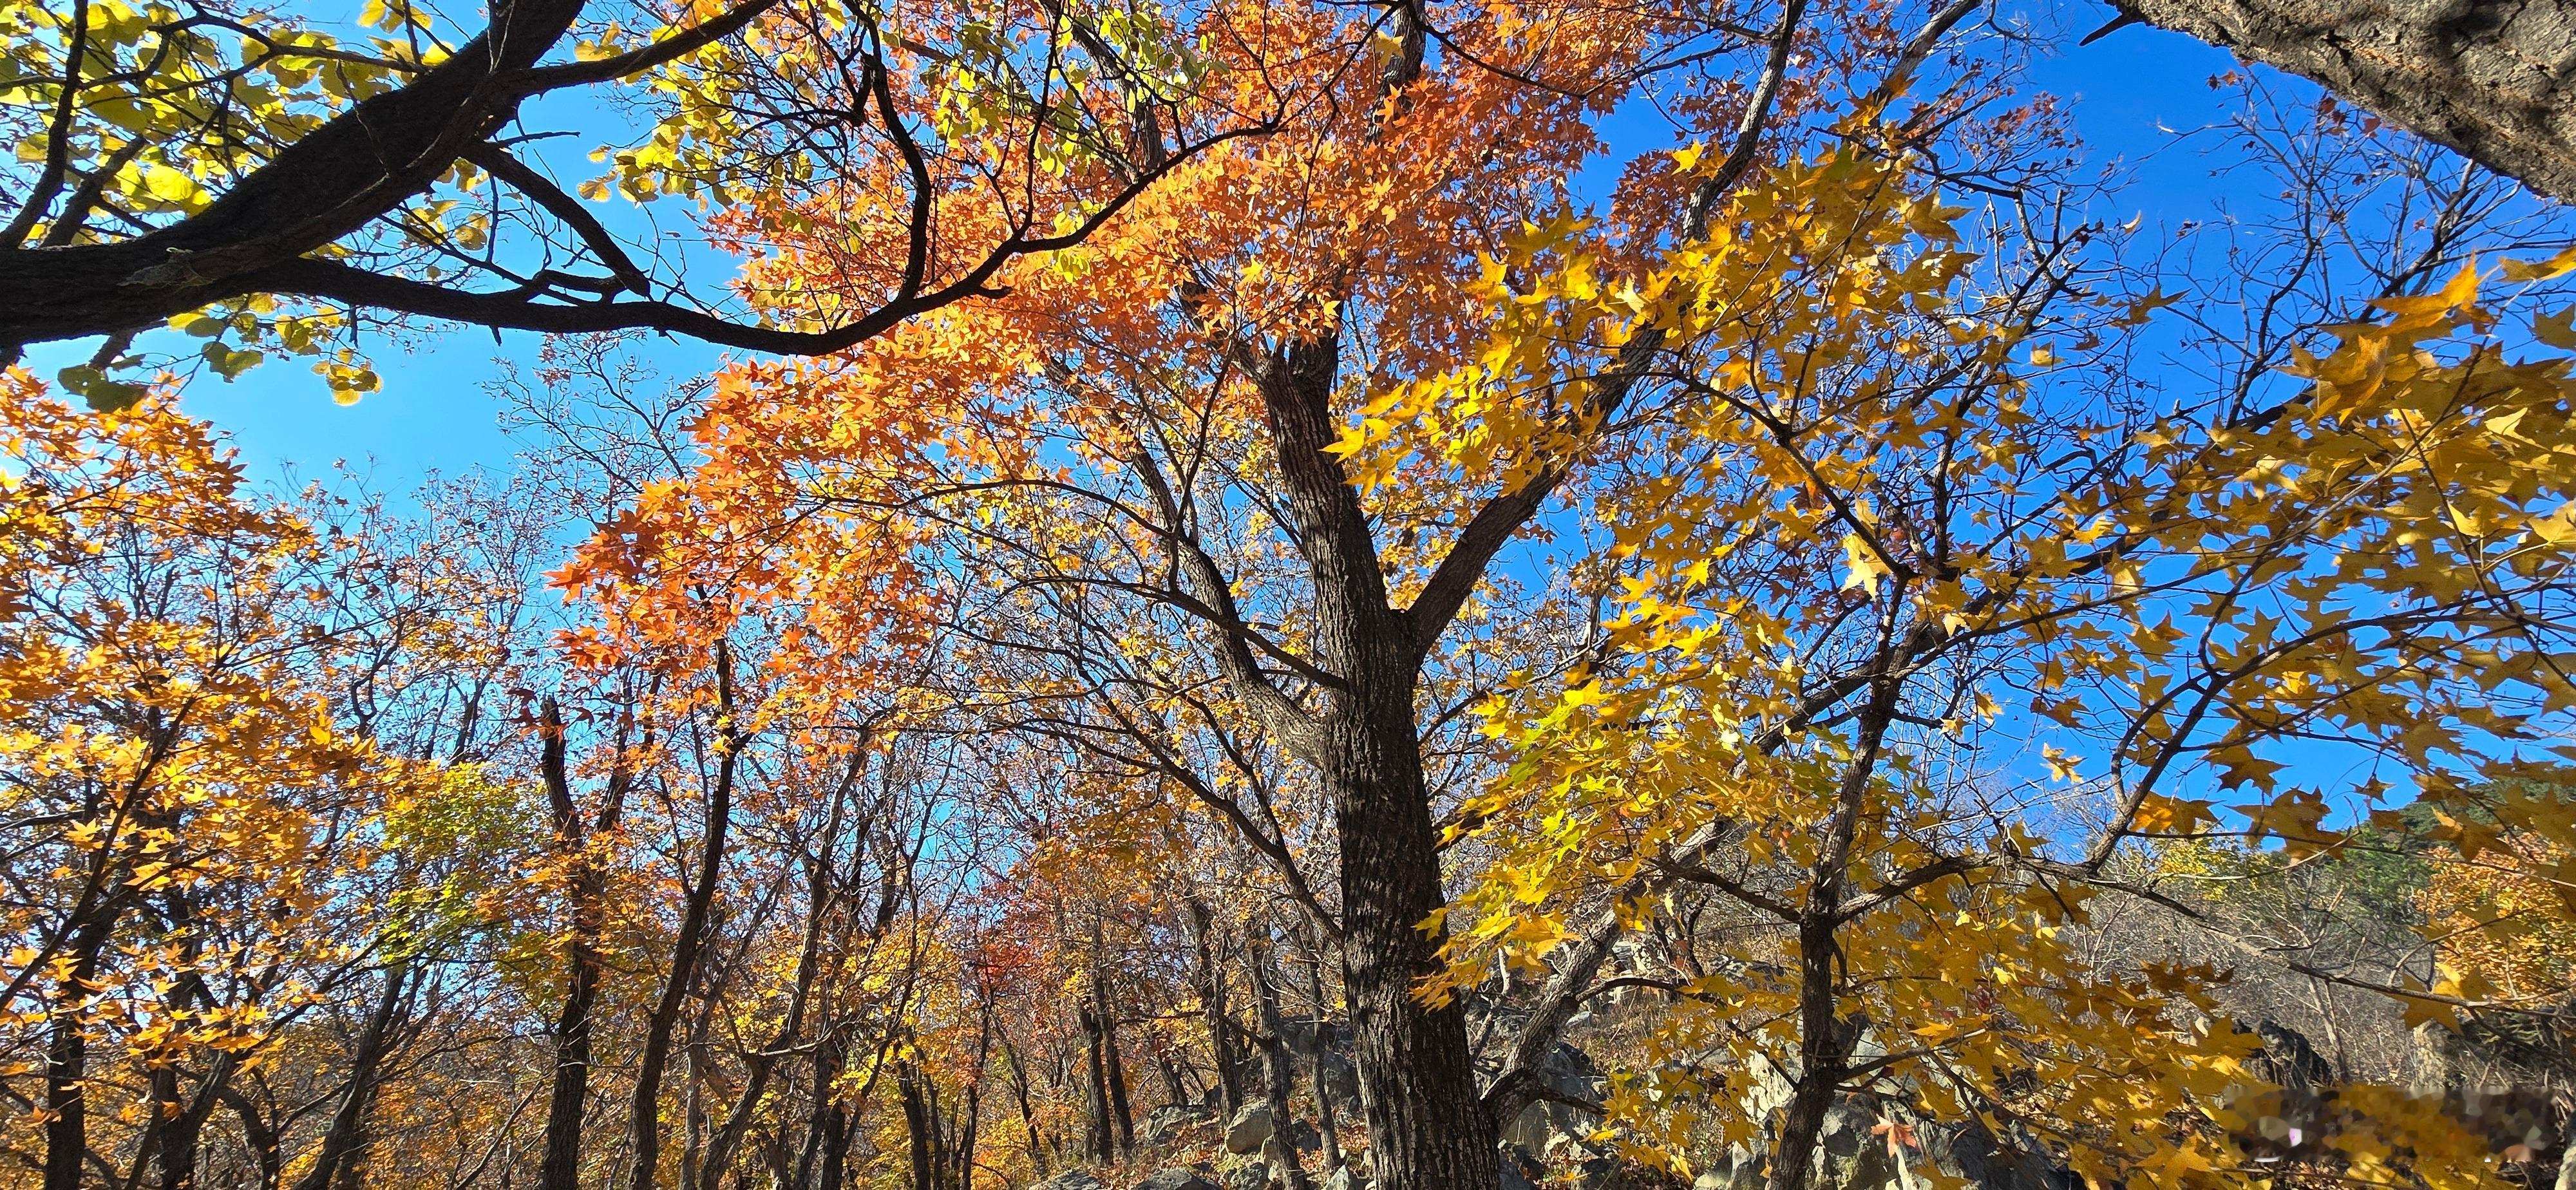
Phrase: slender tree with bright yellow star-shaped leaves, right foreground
[1882,534]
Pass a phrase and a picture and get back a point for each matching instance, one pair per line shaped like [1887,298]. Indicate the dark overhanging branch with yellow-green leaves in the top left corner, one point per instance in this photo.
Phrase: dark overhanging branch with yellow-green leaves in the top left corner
[243,174]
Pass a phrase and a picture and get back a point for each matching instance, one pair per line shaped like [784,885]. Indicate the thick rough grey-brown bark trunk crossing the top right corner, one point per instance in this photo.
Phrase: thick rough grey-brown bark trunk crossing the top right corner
[2490,79]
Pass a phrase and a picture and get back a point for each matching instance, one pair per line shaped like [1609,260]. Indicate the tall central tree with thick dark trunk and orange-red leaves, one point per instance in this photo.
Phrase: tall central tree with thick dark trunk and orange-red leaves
[1163,447]
